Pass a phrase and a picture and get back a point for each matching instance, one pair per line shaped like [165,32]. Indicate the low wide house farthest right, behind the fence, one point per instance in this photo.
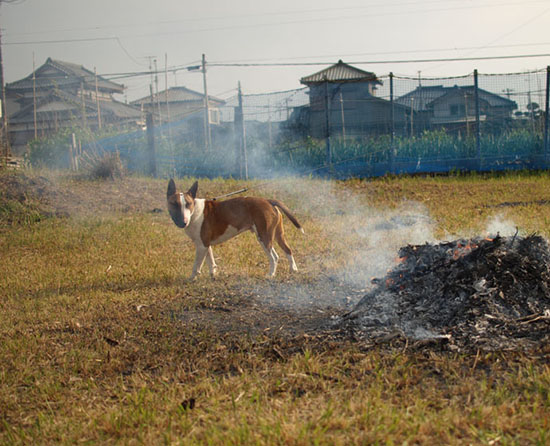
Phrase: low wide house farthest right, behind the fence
[453,108]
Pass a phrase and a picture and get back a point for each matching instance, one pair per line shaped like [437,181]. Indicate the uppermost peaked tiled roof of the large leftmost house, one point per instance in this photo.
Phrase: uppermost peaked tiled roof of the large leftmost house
[59,74]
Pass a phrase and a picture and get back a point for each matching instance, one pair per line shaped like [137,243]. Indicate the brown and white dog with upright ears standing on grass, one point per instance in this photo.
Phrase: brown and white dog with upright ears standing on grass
[210,222]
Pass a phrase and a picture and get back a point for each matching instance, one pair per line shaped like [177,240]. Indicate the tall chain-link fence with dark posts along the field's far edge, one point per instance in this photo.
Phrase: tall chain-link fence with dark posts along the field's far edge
[388,124]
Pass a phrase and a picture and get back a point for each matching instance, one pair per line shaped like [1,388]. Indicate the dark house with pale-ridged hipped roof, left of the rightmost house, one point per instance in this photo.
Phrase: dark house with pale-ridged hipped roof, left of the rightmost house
[354,108]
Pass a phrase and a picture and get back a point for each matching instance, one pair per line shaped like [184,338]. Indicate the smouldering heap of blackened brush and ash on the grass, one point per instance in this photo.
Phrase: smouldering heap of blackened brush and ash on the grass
[483,293]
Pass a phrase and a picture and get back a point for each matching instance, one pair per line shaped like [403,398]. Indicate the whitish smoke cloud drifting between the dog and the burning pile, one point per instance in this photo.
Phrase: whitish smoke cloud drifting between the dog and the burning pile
[356,241]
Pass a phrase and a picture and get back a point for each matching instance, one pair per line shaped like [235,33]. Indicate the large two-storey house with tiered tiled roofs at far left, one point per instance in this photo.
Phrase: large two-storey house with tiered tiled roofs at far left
[60,95]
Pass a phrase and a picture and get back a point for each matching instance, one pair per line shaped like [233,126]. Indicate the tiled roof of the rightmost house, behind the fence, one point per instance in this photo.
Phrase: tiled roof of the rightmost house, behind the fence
[423,98]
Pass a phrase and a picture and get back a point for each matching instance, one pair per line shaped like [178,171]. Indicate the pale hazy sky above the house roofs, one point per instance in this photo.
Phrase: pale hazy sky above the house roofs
[119,36]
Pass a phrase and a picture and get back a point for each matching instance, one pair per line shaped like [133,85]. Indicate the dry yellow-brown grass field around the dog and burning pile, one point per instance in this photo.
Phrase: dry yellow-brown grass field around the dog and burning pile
[103,341]
